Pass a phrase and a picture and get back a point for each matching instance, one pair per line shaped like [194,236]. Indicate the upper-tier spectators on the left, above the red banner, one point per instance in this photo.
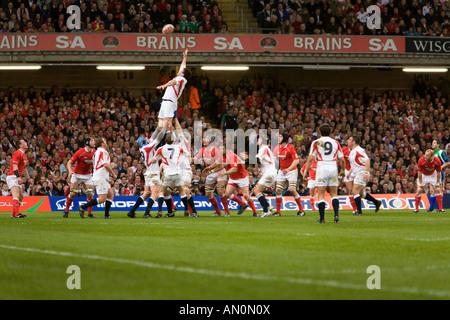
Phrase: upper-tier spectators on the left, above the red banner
[137,16]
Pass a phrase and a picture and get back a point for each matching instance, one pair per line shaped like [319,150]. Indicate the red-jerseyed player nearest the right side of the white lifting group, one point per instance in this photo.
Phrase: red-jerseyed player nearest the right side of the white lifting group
[215,179]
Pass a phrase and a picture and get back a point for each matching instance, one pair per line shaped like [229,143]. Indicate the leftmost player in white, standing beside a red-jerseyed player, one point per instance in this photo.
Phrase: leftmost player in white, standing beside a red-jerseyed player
[100,178]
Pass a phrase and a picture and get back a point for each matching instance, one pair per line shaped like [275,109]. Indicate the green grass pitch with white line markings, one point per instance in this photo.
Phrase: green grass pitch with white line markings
[218,258]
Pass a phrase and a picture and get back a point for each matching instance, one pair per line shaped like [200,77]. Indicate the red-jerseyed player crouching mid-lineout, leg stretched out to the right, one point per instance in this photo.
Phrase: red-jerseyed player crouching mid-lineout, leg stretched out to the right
[238,178]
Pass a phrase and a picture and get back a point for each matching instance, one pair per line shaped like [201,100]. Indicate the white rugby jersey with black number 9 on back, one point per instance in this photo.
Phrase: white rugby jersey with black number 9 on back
[326,150]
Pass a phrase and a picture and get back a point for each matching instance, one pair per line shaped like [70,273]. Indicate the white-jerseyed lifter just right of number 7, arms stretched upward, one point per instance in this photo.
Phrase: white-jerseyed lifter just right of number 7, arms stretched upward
[186,170]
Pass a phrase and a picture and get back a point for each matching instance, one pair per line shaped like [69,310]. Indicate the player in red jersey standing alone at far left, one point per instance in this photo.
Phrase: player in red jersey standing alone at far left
[18,166]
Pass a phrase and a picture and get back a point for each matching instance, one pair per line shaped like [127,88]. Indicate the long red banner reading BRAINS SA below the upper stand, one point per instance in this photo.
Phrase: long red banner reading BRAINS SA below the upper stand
[196,42]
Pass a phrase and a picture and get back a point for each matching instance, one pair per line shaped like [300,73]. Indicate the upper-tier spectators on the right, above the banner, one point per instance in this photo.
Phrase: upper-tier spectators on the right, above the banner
[350,17]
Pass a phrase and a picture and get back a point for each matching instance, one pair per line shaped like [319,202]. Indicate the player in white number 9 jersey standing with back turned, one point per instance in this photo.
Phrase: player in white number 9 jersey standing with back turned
[327,152]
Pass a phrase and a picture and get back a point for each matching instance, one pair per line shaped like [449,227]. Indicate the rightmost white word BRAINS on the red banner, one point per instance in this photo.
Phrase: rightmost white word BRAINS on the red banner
[322,43]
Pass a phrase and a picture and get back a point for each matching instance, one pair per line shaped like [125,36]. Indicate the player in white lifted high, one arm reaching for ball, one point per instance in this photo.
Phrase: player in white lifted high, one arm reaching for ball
[173,91]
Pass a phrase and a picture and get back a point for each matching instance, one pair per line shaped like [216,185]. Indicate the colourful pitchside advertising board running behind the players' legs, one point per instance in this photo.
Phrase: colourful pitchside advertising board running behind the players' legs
[125,203]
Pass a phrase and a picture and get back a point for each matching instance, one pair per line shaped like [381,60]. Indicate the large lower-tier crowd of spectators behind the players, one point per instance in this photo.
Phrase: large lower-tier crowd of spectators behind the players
[395,127]
